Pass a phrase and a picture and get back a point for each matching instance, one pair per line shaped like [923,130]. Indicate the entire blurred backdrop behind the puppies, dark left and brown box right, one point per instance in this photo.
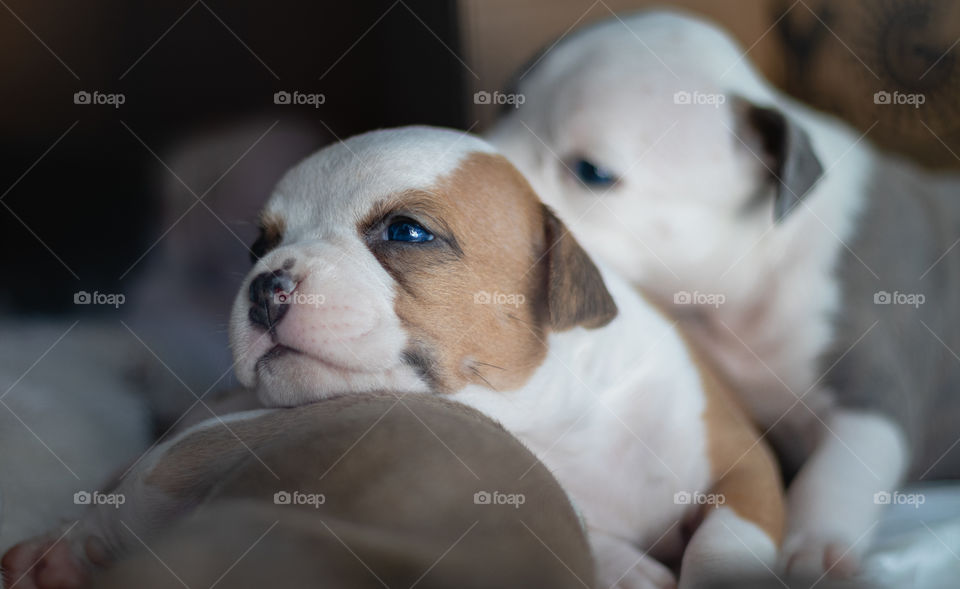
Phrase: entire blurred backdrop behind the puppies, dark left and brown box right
[133,133]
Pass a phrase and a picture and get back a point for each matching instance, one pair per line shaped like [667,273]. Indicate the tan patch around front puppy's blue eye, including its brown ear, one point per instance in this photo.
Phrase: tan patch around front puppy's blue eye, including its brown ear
[478,300]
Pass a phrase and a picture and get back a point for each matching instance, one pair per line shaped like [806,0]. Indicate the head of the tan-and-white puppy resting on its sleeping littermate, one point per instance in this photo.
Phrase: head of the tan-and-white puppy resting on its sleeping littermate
[414,259]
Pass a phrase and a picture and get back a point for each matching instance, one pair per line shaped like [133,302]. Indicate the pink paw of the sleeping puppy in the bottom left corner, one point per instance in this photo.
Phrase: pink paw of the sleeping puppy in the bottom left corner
[44,563]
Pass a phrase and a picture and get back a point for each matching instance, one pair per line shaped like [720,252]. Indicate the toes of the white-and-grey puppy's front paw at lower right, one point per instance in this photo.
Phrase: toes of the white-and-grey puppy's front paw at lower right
[814,556]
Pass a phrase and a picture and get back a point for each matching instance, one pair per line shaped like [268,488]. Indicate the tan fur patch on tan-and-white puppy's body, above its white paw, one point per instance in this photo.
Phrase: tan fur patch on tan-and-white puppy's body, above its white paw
[744,468]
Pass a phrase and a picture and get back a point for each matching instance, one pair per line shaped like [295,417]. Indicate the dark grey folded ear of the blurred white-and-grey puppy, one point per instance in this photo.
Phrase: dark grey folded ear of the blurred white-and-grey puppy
[786,151]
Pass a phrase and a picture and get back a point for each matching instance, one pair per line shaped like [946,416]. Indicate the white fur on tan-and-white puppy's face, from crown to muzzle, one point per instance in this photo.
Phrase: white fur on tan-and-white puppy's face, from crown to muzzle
[342,319]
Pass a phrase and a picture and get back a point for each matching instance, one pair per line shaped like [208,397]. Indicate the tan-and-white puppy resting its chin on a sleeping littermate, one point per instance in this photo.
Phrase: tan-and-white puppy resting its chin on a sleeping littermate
[420,260]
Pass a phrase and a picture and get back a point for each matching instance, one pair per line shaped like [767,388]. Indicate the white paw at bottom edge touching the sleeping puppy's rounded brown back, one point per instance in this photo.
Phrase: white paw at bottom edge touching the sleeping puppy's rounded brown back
[621,566]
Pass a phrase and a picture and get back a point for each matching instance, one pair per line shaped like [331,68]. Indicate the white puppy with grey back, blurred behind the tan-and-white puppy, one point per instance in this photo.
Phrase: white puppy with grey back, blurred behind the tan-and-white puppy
[792,252]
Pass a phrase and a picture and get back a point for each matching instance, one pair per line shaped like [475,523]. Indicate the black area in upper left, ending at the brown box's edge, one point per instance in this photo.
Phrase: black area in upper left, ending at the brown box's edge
[92,200]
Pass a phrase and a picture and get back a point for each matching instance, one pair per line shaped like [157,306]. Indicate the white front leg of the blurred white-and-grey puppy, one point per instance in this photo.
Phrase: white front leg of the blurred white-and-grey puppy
[832,504]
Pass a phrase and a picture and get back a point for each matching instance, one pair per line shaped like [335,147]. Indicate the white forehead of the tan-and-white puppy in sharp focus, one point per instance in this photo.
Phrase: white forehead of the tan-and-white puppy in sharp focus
[339,185]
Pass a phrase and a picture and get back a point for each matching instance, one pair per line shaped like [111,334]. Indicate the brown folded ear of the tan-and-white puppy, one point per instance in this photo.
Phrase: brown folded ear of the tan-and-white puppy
[576,294]
